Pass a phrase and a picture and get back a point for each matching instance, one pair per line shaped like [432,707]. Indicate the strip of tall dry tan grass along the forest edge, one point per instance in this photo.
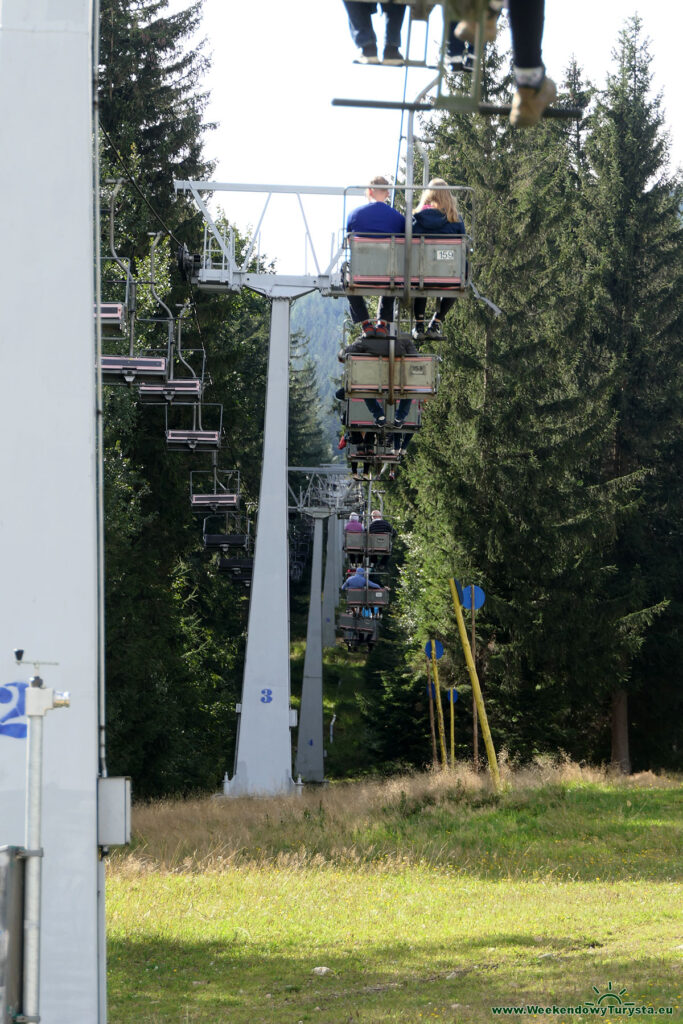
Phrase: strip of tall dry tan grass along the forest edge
[347,823]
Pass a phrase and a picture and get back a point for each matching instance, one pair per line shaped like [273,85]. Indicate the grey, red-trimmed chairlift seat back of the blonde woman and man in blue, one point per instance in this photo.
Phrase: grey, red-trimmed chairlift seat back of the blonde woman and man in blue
[377,265]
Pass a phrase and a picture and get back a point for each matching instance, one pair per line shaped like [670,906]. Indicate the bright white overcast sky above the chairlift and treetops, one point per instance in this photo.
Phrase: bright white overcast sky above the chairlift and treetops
[278,65]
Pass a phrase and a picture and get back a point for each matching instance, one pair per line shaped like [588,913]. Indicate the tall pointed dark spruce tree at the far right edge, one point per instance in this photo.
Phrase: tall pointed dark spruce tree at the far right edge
[635,244]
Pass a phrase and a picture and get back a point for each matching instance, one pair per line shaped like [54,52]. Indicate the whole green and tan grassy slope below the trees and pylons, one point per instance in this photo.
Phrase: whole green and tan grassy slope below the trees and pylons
[429,899]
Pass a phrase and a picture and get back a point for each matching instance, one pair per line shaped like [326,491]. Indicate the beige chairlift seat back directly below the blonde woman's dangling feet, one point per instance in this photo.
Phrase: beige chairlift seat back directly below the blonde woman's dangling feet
[368,376]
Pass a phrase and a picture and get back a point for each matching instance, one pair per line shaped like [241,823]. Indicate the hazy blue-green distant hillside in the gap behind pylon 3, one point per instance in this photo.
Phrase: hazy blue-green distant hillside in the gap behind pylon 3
[321,321]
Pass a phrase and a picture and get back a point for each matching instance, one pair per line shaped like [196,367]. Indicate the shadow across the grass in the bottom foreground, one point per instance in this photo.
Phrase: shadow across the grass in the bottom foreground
[219,983]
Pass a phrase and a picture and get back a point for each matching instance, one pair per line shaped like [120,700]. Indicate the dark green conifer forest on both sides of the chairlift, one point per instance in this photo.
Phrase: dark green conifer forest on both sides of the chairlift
[547,472]
